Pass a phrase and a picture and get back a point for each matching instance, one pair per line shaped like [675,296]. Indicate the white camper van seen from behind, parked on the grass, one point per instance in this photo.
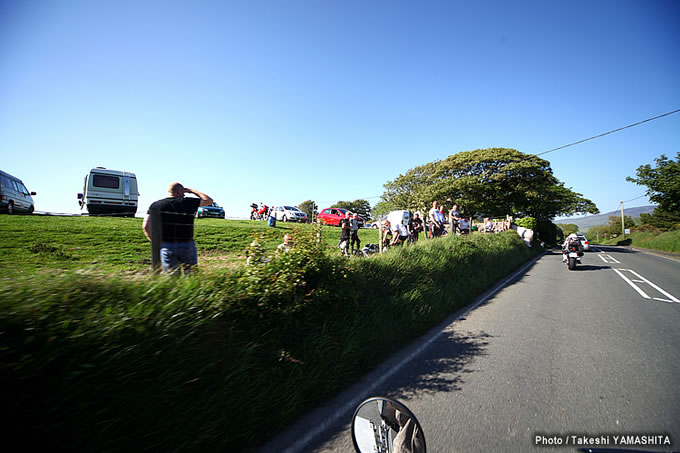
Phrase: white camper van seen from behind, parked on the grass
[109,192]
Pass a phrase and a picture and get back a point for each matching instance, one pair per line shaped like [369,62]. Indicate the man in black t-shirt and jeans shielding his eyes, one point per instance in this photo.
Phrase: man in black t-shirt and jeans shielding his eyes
[177,226]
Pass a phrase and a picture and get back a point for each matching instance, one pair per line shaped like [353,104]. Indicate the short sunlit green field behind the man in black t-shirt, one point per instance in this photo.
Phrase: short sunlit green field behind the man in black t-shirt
[48,244]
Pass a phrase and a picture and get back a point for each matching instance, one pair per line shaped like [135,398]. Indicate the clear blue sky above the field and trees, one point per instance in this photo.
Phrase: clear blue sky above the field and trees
[284,101]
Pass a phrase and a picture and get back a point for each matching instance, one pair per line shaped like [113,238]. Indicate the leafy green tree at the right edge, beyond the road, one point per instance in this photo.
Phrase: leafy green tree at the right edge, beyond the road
[663,182]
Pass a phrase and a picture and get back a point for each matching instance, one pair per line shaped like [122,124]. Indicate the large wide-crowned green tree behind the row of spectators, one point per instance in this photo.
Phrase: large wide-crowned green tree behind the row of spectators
[488,182]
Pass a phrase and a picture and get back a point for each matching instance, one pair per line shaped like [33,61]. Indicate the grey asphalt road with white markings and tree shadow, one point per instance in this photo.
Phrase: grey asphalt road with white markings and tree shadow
[593,352]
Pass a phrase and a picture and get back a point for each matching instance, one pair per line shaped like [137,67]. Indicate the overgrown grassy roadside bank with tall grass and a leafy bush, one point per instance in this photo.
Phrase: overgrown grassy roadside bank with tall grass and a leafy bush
[219,361]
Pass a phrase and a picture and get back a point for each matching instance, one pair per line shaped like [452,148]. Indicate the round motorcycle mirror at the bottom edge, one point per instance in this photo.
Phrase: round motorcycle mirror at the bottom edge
[384,425]
